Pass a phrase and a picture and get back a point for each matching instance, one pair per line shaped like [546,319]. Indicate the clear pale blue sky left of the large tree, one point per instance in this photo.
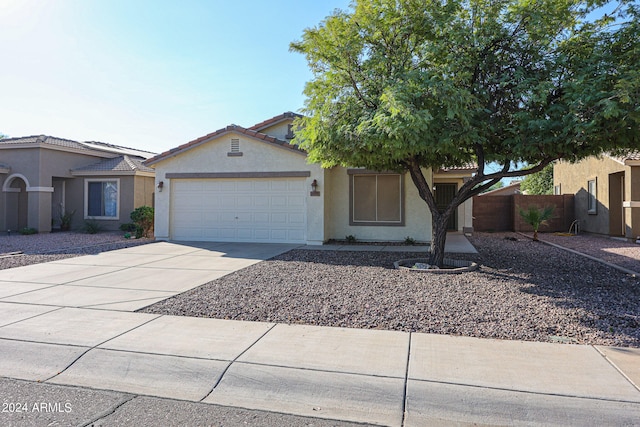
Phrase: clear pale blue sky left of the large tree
[150,74]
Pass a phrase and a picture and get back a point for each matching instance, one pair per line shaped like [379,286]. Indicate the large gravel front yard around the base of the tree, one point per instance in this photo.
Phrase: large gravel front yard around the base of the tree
[524,291]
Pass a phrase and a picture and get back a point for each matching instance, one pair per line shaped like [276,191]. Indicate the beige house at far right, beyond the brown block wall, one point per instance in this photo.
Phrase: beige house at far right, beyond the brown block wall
[607,193]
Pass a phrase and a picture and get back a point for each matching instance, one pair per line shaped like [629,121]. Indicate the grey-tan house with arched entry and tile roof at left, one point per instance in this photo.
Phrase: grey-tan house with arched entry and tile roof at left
[44,177]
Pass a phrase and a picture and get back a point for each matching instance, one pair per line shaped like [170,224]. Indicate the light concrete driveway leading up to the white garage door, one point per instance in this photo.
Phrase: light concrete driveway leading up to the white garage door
[132,278]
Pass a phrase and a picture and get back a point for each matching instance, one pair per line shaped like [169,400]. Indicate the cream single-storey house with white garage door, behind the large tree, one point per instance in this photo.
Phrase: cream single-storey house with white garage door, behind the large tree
[252,185]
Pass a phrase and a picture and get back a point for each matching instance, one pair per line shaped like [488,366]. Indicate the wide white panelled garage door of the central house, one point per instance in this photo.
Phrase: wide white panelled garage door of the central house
[239,210]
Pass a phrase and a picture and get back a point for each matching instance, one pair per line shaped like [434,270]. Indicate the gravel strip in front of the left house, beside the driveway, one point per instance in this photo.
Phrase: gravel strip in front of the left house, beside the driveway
[38,248]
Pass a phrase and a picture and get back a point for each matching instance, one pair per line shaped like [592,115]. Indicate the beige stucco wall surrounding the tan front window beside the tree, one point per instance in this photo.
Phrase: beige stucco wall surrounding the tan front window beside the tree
[417,216]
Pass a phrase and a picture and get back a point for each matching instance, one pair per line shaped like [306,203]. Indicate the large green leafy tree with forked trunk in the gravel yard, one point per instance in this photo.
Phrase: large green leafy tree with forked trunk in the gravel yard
[409,85]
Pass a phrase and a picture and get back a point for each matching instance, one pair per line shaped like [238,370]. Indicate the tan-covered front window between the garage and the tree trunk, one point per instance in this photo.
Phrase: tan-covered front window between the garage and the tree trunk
[376,199]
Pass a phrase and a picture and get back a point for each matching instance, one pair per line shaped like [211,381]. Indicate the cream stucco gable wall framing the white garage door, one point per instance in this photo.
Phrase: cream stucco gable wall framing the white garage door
[257,156]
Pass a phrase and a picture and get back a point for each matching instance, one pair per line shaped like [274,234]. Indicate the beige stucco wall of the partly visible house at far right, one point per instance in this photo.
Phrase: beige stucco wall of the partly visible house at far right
[573,179]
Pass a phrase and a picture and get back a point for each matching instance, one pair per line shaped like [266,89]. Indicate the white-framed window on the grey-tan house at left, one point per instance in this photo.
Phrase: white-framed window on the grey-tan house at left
[102,199]
